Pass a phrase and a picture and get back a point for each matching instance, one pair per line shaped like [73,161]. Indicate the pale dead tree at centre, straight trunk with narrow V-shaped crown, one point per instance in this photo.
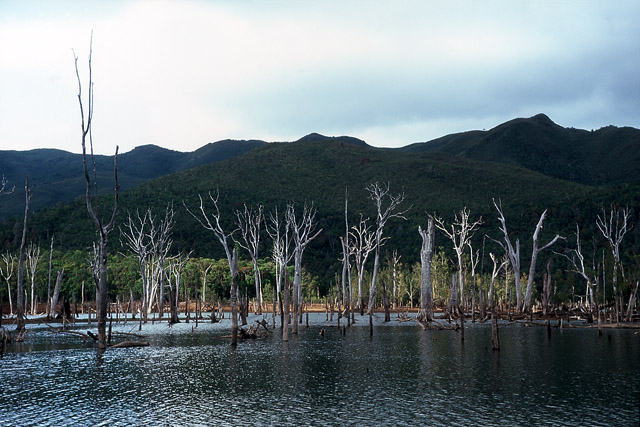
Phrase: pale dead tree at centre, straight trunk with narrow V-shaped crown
[303,231]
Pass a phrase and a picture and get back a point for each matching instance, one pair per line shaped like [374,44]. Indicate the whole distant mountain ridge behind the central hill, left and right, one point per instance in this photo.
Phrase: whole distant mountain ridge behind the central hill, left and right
[609,155]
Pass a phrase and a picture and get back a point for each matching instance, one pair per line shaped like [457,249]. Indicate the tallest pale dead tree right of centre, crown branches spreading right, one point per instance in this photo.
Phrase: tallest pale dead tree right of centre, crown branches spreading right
[381,195]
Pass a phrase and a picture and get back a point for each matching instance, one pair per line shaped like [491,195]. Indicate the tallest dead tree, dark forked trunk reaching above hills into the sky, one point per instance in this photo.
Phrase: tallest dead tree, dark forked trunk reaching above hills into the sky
[102,228]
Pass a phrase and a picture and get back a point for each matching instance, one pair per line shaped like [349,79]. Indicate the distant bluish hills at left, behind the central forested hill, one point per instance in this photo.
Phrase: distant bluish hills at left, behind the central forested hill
[56,176]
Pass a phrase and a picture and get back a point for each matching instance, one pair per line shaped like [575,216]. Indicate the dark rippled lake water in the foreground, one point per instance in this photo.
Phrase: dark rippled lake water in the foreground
[403,375]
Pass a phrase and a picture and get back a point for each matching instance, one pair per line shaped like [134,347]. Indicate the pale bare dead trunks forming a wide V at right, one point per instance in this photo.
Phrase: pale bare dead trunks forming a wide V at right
[514,257]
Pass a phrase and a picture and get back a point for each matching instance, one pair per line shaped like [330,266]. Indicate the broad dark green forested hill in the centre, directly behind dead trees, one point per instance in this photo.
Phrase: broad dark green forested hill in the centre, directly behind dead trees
[318,170]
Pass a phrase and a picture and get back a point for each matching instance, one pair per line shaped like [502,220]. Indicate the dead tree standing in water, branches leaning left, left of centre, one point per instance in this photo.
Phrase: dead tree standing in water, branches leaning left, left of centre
[211,222]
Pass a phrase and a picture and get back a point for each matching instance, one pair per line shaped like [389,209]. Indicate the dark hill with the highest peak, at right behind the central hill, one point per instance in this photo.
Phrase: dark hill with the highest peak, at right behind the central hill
[610,155]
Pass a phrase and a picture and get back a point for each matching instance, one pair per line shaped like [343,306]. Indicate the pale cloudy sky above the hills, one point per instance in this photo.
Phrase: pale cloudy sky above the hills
[181,74]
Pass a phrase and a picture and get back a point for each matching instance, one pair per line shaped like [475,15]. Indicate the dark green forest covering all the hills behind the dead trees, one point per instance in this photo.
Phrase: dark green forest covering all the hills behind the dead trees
[529,165]
